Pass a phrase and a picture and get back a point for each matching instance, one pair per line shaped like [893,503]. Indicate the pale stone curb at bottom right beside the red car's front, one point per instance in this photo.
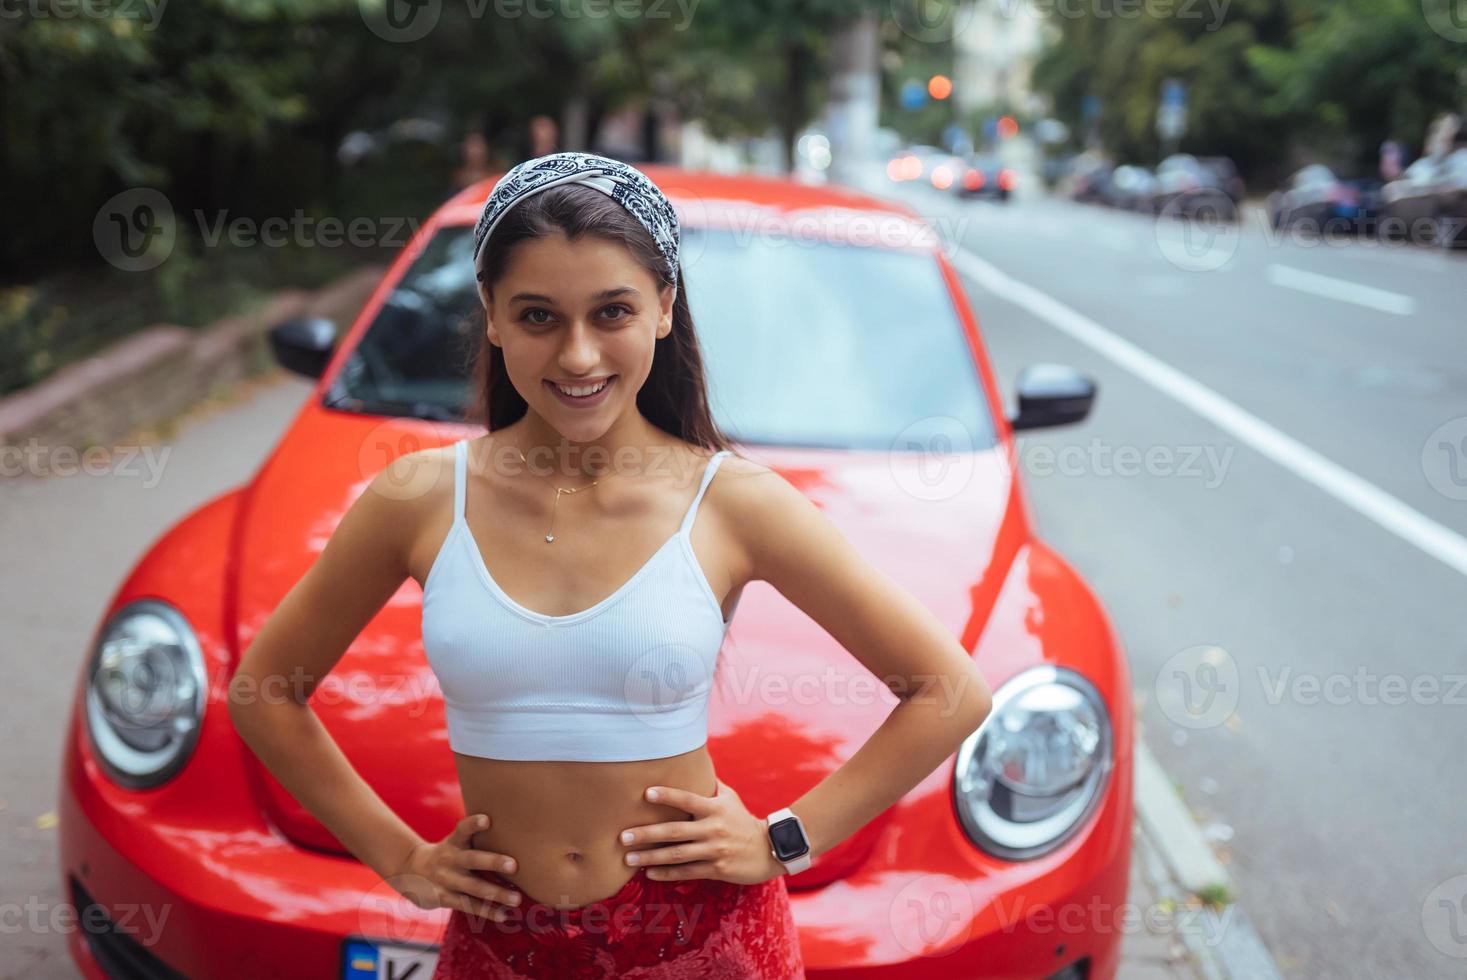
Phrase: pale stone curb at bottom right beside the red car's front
[1179,865]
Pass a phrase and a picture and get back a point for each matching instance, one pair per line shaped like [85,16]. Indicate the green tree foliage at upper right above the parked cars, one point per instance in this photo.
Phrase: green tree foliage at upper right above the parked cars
[1271,83]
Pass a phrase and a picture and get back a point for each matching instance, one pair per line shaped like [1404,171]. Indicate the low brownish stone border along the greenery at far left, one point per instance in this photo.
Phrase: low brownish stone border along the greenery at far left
[161,370]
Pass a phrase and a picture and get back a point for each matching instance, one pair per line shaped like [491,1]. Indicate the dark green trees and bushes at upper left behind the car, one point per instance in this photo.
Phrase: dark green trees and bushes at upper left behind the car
[234,109]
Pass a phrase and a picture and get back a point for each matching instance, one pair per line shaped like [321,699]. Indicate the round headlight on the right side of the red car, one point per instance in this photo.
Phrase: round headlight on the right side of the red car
[1038,767]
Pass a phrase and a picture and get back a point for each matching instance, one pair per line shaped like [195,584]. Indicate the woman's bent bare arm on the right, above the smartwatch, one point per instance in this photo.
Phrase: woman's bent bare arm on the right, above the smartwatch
[796,548]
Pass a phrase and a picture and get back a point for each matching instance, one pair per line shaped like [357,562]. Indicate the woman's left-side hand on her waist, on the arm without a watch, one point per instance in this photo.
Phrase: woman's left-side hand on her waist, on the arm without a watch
[441,875]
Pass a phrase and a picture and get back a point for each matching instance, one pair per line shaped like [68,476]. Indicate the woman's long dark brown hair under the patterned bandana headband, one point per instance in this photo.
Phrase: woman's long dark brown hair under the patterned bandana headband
[676,395]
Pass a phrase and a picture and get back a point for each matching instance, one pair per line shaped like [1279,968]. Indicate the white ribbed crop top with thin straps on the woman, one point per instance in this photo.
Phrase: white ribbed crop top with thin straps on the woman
[627,679]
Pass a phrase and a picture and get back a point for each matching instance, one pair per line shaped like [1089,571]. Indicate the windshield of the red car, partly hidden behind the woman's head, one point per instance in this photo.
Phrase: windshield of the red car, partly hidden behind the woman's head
[805,344]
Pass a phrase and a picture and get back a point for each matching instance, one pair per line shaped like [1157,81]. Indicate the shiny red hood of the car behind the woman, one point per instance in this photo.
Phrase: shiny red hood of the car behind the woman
[789,692]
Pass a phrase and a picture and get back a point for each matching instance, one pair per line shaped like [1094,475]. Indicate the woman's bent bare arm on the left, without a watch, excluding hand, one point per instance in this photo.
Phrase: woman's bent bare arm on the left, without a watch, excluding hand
[362,567]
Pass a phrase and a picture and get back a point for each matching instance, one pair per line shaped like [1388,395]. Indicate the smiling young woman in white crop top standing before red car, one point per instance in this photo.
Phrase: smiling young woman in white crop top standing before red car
[580,567]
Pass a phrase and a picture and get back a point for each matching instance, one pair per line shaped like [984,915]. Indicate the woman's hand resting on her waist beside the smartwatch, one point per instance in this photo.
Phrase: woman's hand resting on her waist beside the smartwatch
[724,841]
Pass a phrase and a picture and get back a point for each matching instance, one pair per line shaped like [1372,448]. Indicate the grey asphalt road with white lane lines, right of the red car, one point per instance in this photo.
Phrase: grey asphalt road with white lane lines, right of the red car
[1283,551]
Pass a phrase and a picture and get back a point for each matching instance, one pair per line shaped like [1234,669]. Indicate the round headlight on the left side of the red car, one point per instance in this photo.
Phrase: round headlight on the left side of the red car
[146,693]
